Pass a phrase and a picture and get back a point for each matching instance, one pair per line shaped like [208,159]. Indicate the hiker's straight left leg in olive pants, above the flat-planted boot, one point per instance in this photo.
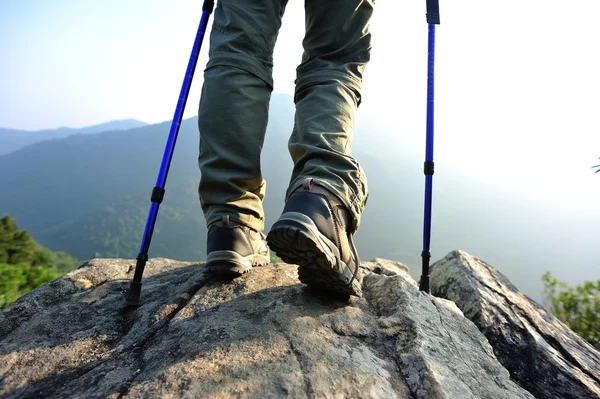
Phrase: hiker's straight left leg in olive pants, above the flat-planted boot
[233,111]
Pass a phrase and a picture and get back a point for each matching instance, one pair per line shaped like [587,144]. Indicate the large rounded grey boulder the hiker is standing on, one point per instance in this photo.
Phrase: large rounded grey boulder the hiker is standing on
[263,335]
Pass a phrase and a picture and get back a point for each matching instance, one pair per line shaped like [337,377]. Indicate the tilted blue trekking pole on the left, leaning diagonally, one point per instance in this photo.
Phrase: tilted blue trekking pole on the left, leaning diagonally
[133,296]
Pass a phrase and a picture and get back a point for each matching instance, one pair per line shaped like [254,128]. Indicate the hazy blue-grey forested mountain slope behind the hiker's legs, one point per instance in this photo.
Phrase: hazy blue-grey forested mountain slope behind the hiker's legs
[89,195]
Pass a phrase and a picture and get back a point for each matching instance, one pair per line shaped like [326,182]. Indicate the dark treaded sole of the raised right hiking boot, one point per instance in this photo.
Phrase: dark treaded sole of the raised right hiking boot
[296,239]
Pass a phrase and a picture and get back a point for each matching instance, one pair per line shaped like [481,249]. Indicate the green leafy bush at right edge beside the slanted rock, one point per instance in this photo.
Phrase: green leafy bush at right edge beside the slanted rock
[578,307]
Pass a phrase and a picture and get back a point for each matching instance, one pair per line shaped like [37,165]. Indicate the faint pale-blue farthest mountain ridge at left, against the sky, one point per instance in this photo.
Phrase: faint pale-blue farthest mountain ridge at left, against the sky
[15,139]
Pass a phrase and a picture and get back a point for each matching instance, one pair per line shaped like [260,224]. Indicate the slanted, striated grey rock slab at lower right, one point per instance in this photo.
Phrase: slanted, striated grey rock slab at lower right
[542,354]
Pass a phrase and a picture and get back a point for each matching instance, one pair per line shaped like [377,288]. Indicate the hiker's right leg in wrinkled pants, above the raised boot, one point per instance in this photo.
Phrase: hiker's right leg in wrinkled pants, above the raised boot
[337,47]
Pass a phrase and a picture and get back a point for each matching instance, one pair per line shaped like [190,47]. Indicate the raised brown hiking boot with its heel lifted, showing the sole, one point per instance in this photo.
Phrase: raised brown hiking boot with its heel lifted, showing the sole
[312,232]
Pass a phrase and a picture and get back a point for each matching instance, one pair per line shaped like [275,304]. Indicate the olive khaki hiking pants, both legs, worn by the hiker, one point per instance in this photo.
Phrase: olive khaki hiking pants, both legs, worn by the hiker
[234,104]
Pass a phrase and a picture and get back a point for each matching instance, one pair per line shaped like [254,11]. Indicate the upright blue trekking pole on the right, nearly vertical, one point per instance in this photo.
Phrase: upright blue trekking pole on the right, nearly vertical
[433,18]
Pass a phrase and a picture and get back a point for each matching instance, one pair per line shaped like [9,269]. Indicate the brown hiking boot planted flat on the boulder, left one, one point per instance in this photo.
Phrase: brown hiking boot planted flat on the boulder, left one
[232,249]
